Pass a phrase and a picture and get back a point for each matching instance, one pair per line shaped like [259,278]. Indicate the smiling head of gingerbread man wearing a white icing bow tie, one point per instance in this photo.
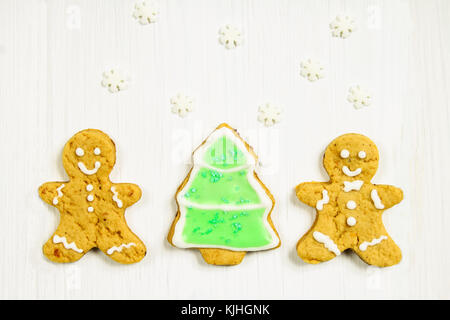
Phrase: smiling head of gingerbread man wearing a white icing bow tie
[351,157]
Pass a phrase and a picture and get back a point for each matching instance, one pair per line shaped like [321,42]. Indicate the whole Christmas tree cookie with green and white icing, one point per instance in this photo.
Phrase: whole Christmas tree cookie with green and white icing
[223,208]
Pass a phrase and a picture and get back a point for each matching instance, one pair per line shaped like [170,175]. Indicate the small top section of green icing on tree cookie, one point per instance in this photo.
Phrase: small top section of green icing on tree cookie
[224,154]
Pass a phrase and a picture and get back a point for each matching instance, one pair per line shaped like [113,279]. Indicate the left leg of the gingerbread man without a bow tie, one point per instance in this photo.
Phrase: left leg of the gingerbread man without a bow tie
[67,244]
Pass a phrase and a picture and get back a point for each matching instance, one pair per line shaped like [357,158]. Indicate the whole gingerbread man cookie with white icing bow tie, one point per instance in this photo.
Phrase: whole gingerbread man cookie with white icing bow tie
[349,206]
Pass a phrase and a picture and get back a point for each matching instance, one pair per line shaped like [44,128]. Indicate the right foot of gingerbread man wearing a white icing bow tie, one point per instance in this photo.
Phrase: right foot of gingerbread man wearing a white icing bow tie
[381,252]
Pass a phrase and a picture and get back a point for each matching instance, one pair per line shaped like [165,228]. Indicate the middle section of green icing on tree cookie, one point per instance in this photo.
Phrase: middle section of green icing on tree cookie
[212,187]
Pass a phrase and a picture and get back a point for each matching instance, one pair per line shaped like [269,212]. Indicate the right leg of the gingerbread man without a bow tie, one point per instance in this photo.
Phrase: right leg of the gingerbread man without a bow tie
[119,243]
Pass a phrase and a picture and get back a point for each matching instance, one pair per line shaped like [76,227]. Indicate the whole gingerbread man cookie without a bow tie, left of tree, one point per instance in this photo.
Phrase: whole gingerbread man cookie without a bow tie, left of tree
[92,208]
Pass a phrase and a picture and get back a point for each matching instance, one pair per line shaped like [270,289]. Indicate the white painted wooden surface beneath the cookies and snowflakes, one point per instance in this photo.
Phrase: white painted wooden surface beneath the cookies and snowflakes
[52,55]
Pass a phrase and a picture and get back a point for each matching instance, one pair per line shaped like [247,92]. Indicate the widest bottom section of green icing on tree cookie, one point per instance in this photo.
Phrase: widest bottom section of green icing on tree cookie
[234,229]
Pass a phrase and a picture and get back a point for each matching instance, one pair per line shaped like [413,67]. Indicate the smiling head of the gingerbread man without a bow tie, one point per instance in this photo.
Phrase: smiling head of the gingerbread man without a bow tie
[89,154]
